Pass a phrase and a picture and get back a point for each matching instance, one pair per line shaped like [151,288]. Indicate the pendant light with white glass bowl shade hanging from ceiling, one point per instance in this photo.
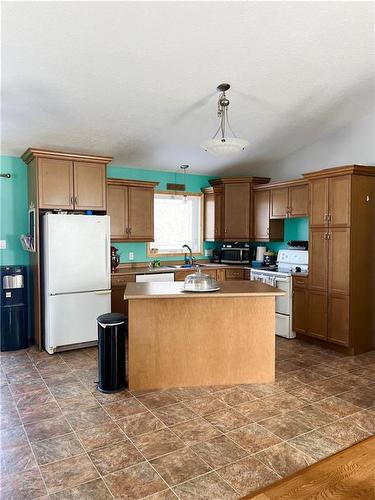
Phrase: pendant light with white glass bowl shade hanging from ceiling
[222,145]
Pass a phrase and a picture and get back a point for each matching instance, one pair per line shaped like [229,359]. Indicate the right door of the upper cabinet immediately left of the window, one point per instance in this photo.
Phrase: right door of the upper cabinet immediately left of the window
[141,213]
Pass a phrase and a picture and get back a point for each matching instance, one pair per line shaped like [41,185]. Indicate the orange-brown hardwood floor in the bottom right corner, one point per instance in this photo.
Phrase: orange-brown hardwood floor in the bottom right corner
[349,475]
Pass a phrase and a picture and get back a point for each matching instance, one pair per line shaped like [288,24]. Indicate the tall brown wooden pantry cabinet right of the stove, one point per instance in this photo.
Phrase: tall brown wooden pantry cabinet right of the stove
[341,293]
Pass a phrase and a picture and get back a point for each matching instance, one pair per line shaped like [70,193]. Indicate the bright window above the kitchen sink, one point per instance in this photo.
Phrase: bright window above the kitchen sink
[178,221]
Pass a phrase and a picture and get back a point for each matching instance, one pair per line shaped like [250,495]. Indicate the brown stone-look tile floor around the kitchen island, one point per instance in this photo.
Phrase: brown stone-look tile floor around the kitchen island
[61,439]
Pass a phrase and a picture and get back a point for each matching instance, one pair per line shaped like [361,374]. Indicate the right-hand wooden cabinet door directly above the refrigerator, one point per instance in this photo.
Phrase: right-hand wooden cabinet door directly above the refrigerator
[89,186]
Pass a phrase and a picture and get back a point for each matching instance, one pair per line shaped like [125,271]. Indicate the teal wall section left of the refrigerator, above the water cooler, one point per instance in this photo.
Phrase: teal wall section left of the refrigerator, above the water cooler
[13,210]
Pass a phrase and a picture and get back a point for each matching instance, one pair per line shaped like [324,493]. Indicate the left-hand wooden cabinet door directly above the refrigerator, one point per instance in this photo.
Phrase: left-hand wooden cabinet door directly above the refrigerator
[55,183]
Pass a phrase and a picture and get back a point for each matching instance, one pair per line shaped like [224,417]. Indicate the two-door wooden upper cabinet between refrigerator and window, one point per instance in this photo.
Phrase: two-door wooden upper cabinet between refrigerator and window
[131,209]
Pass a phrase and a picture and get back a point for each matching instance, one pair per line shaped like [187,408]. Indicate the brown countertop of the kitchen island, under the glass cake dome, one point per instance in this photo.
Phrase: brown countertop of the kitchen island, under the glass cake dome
[175,290]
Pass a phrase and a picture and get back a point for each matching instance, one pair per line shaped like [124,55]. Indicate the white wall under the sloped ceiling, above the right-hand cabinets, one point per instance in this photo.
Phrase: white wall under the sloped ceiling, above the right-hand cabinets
[353,144]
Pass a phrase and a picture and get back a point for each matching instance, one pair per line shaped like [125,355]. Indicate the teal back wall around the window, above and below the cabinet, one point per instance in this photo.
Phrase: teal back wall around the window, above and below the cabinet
[194,183]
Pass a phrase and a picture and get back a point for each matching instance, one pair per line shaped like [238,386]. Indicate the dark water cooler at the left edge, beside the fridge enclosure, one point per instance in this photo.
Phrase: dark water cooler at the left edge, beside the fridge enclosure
[13,306]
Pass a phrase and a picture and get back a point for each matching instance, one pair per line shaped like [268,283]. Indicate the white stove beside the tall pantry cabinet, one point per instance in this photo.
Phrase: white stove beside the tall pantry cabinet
[288,262]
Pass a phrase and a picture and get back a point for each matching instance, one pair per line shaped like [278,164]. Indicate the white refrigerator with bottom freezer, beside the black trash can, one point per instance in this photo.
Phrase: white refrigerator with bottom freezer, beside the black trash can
[76,278]
